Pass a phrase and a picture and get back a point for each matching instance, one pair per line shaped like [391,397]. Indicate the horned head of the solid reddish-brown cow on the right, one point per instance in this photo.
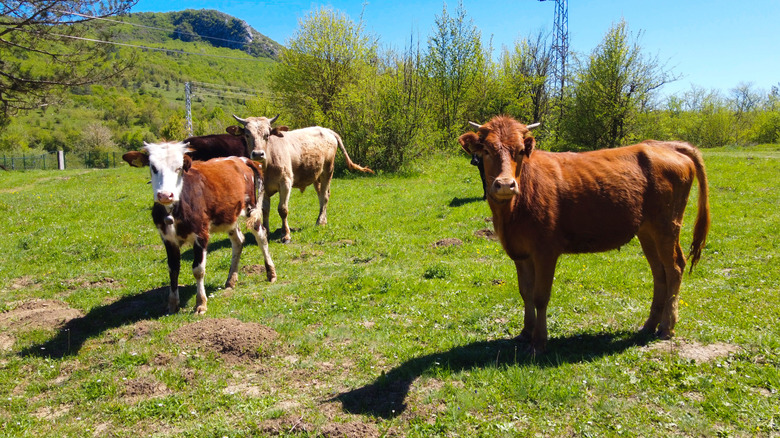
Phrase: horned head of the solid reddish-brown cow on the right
[502,143]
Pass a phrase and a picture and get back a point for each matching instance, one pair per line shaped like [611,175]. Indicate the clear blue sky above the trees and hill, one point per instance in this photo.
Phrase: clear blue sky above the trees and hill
[713,44]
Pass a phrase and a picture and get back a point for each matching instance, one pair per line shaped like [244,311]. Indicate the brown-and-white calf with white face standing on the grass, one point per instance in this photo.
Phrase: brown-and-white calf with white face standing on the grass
[194,199]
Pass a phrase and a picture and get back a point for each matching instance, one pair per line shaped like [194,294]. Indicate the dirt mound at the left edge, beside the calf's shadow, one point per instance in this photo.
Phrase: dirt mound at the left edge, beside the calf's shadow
[38,314]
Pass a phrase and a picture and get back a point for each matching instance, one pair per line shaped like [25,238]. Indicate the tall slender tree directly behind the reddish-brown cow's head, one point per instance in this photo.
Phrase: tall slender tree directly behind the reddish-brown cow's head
[454,63]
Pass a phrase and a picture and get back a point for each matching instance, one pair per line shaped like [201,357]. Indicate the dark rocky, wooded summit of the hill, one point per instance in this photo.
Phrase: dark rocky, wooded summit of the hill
[209,26]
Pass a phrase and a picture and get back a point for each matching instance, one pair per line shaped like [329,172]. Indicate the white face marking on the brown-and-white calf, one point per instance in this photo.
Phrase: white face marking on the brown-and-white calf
[166,163]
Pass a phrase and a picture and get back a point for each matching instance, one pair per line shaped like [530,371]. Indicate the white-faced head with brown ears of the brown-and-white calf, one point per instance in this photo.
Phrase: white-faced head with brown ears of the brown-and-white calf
[167,164]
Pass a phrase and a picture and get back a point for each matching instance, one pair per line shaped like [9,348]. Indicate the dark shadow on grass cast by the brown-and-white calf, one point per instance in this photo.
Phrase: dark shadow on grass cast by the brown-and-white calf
[148,305]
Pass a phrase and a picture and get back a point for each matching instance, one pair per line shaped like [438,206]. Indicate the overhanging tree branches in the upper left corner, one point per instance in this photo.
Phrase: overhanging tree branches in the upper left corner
[43,51]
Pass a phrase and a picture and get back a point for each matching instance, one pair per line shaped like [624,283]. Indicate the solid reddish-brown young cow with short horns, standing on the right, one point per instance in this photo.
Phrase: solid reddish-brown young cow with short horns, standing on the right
[546,204]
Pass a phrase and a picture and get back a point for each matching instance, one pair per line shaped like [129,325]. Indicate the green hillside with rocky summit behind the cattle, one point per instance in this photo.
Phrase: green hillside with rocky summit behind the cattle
[226,60]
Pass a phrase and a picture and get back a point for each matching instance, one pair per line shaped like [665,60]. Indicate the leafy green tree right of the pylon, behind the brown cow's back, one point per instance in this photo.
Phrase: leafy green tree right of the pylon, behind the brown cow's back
[615,84]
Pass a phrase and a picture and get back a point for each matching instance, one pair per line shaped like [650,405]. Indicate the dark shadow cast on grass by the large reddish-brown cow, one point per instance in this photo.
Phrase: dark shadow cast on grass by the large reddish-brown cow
[386,396]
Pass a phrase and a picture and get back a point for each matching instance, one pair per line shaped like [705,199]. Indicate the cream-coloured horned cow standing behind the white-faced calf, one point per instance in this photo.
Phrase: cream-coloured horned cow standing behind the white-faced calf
[290,159]
